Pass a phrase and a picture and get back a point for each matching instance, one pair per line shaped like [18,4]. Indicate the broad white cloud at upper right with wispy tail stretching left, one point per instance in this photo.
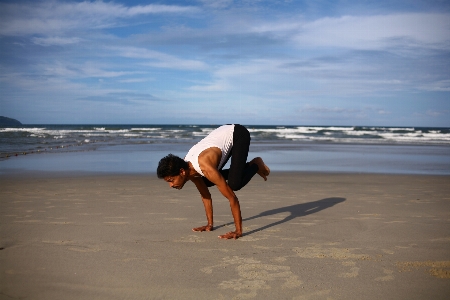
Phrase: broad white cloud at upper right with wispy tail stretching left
[351,32]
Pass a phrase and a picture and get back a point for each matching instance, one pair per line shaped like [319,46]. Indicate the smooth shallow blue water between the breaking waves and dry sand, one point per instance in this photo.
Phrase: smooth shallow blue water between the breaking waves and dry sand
[304,158]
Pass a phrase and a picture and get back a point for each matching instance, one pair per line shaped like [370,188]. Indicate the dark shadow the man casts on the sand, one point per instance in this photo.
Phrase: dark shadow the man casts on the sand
[296,211]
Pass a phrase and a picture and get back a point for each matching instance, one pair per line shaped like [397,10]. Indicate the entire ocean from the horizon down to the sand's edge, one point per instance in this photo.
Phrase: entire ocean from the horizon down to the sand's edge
[138,148]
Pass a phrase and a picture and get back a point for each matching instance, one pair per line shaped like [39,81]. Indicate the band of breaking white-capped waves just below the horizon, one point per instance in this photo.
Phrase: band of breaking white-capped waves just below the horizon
[299,133]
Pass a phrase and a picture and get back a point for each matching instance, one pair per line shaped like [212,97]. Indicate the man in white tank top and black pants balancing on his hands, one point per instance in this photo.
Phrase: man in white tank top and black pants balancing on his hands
[203,166]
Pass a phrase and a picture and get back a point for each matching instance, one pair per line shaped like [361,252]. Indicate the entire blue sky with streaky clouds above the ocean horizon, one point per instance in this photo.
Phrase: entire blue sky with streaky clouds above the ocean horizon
[313,62]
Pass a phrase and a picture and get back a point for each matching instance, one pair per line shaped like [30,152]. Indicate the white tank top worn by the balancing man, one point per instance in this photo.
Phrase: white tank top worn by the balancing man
[221,138]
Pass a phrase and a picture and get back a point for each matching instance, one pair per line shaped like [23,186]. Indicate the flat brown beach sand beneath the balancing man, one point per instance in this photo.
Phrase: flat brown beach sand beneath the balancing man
[307,236]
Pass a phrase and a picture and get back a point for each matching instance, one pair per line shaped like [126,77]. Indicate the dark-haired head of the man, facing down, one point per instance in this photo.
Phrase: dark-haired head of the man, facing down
[173,170]
